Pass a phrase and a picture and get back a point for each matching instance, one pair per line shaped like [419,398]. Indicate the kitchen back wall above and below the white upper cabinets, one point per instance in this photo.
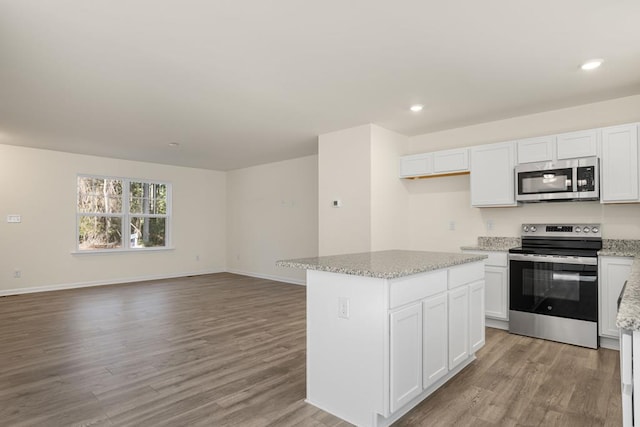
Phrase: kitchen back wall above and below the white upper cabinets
[435,202]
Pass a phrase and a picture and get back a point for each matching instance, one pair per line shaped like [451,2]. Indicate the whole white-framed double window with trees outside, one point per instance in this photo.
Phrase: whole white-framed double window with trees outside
[122,213]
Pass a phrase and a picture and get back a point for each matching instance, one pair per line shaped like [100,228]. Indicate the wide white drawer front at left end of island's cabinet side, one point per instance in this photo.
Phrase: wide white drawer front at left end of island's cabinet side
[416,287]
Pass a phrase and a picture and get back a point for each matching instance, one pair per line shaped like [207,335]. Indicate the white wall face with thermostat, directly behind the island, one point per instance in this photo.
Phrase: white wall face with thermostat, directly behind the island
[344,173]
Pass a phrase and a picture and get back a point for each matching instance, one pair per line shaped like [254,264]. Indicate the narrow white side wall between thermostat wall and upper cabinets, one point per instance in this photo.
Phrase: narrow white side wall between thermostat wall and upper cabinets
[389,196]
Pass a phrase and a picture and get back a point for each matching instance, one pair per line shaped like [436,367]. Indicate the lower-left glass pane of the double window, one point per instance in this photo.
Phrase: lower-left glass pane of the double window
[99,232]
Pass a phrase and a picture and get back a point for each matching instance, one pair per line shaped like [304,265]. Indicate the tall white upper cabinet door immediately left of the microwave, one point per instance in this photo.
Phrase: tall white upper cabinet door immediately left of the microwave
[492,175]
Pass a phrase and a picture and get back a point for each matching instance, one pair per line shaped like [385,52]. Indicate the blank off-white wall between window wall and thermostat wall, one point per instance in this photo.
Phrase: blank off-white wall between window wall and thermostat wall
[272,213]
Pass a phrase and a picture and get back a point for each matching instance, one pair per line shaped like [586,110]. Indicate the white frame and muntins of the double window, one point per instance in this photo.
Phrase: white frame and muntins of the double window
[126,216]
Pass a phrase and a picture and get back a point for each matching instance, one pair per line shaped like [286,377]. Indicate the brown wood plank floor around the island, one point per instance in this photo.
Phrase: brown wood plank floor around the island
[228,350]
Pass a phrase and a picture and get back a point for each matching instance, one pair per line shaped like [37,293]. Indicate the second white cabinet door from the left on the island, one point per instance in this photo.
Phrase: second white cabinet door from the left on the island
[435,339]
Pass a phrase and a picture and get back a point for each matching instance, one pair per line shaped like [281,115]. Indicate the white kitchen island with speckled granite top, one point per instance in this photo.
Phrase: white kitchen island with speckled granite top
[386,329]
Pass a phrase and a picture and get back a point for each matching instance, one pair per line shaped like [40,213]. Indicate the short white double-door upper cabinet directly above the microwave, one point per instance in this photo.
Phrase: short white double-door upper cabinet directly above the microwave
[569,145]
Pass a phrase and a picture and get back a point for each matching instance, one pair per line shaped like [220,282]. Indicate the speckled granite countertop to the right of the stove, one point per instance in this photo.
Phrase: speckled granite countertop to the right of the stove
[629,311]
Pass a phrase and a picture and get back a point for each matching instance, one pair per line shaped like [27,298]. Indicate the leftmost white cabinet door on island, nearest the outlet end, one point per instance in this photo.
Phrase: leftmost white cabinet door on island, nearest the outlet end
[406,355]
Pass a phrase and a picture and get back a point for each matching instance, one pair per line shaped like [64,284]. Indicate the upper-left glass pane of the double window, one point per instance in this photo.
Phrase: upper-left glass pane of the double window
[97,195]
